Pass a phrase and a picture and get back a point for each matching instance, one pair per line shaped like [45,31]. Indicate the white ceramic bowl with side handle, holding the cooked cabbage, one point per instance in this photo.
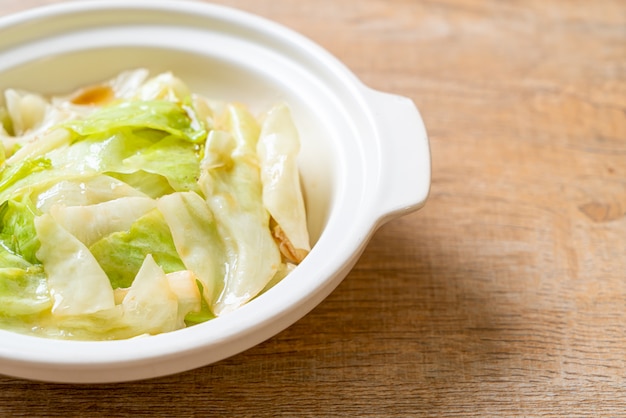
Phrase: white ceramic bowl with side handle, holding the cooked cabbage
[365,157]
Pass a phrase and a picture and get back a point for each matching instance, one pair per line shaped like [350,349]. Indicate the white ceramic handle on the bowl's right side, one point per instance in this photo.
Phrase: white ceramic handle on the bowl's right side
[405,155]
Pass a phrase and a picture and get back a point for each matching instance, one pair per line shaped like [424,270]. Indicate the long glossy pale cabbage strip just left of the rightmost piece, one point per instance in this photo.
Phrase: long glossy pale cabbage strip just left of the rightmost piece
[234,195]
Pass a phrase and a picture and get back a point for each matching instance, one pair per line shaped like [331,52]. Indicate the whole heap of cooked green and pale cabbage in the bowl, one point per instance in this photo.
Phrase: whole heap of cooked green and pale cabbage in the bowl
[137,207]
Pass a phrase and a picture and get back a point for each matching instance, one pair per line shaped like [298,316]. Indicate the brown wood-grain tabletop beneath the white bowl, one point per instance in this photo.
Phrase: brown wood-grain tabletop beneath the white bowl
[506,294]
